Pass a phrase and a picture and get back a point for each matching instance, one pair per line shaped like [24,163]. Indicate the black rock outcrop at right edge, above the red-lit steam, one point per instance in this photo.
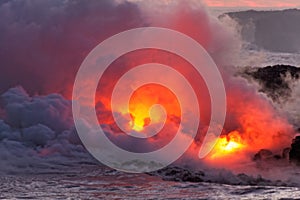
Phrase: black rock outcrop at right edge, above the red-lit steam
[273,80]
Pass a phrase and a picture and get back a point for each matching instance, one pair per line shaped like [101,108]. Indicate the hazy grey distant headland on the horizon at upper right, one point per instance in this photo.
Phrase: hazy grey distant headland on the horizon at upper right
[276,31]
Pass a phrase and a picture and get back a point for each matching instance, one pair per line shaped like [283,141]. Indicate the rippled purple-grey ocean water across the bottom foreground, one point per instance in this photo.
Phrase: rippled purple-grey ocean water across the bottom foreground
[101,183]
